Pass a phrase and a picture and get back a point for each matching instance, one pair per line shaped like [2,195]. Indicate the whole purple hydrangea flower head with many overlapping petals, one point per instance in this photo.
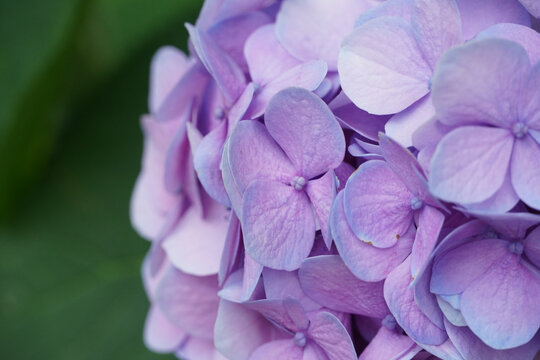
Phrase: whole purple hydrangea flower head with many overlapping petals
[346,179]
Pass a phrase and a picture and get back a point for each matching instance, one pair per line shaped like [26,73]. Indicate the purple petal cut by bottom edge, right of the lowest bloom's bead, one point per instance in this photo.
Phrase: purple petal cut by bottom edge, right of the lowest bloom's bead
[329,333]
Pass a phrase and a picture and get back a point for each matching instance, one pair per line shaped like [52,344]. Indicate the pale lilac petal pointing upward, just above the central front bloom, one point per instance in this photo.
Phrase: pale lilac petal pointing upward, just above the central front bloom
[266,57]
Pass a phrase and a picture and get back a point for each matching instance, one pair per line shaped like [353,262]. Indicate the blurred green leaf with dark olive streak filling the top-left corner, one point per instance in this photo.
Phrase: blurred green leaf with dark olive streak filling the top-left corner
[53,55]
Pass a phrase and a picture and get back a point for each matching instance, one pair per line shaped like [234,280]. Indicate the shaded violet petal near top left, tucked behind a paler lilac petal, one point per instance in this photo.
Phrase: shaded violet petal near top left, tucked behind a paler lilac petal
[231,34]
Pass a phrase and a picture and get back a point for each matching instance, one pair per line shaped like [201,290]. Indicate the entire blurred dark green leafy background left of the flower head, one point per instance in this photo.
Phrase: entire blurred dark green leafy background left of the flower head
[73,84]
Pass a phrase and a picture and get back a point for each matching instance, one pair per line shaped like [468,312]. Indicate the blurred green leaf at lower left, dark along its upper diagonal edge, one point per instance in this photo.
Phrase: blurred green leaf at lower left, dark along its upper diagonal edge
[70,261]
